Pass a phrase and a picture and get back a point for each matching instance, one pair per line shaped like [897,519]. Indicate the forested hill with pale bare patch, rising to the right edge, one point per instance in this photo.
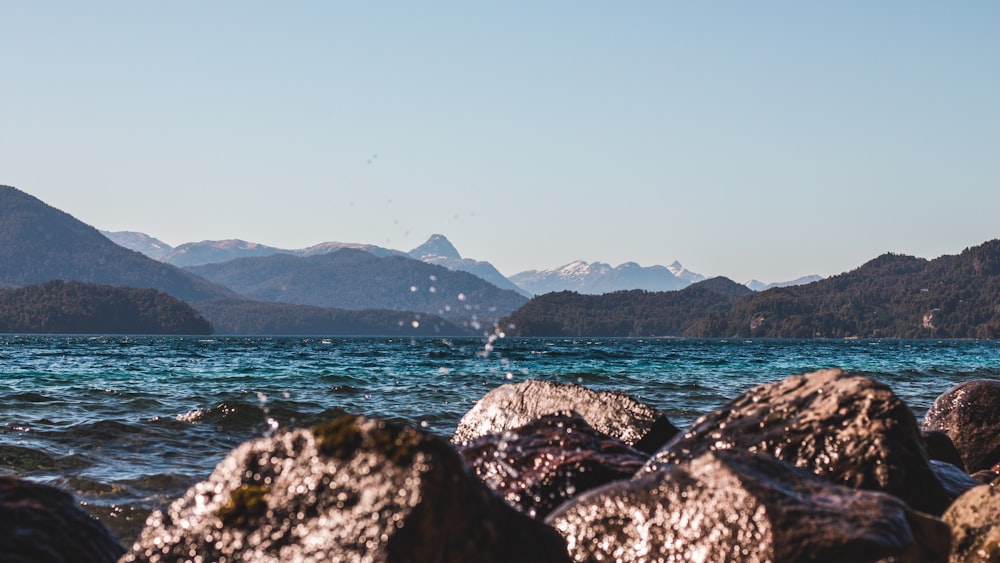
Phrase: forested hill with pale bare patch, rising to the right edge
[892,296]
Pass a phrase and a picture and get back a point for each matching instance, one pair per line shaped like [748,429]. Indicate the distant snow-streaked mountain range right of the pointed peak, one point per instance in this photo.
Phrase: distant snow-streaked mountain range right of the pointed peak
[599,277]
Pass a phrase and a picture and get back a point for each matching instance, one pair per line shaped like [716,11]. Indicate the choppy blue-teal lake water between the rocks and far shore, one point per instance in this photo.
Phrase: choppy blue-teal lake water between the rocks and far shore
[127,424]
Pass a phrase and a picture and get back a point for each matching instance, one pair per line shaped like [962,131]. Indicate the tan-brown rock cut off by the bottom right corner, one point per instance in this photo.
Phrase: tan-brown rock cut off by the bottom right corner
[975,525]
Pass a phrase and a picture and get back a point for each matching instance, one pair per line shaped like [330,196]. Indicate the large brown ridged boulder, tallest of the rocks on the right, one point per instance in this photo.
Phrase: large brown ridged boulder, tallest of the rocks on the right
[843,427]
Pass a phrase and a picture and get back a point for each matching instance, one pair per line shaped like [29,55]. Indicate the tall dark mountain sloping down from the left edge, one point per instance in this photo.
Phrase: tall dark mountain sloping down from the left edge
[39,243]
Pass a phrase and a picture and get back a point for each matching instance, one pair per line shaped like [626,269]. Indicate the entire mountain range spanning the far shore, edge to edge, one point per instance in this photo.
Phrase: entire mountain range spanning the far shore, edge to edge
[347,289]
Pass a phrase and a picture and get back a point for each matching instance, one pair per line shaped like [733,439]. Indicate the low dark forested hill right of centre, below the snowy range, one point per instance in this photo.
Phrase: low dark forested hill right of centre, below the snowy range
[625,313]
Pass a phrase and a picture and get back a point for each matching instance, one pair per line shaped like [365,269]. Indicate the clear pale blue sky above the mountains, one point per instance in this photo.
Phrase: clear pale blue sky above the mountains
[759,140]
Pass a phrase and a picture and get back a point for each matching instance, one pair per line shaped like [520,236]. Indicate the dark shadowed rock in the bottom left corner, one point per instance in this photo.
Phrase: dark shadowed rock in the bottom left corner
[42,524]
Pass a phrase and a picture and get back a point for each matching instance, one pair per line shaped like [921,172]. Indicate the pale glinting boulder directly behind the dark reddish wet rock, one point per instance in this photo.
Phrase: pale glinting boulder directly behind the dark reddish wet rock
[615,414]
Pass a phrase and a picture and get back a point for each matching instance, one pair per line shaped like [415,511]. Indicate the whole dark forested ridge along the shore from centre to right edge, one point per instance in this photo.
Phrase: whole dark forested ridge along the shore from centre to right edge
[892,296]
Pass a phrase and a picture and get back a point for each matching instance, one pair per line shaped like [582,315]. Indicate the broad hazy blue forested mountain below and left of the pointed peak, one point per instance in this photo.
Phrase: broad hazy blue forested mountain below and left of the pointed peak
[354,279]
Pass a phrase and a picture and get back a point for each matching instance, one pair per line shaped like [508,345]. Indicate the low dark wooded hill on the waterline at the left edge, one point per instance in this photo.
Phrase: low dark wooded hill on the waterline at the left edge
[58,307]
